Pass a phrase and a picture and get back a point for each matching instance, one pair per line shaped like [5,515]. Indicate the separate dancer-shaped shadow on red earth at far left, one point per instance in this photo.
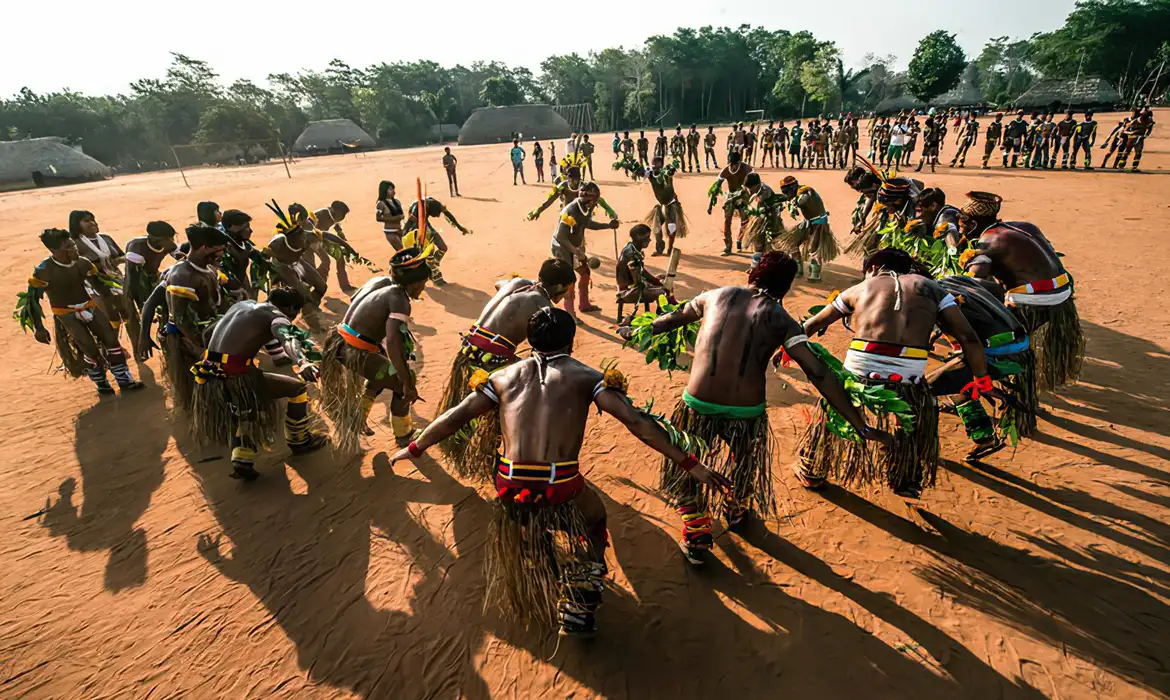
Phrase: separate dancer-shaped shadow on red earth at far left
[119,477]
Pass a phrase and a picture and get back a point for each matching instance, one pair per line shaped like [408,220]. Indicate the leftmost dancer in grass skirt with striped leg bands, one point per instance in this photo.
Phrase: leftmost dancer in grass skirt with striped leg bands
[86,340]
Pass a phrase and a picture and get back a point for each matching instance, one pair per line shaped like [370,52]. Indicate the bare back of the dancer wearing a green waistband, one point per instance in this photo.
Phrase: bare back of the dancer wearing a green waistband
[741,332]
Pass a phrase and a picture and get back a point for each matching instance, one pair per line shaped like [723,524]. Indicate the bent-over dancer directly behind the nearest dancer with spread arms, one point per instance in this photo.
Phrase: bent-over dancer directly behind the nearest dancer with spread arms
[490,347]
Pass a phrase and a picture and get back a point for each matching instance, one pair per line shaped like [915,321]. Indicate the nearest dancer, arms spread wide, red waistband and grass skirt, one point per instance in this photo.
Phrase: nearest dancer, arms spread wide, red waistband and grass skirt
[548,538]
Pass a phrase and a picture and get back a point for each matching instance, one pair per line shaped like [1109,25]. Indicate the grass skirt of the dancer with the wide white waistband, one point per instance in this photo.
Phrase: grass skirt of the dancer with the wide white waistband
[912,461]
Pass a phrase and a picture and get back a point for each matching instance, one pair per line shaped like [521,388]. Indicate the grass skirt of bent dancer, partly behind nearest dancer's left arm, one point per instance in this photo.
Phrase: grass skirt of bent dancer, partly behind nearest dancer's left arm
[473,450]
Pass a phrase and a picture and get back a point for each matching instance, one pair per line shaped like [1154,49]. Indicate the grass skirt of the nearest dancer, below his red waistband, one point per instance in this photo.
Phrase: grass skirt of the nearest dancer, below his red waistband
[531,548]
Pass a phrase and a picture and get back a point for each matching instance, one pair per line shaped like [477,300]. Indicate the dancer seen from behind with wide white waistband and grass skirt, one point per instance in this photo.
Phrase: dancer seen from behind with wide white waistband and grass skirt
[892,317]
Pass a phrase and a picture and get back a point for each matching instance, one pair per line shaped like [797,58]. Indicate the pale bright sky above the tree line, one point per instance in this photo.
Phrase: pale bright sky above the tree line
[119,42]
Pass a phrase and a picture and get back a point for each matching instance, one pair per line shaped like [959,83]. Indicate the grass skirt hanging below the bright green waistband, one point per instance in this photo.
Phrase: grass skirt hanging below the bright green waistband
[740,449]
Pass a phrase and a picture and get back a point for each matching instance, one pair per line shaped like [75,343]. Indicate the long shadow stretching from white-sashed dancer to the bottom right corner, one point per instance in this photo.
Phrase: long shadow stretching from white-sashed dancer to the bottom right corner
[1097,617]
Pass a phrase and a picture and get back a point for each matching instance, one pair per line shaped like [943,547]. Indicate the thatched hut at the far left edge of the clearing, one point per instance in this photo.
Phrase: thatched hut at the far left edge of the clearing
[39,162]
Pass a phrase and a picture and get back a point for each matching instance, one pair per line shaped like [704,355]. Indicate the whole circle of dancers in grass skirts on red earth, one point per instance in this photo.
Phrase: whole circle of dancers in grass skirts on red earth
[999,301]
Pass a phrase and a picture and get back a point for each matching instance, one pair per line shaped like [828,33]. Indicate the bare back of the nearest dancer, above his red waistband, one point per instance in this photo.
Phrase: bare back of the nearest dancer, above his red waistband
[545,422]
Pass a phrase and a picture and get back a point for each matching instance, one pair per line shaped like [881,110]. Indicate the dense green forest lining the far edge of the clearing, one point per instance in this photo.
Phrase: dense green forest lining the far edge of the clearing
[712,74]
